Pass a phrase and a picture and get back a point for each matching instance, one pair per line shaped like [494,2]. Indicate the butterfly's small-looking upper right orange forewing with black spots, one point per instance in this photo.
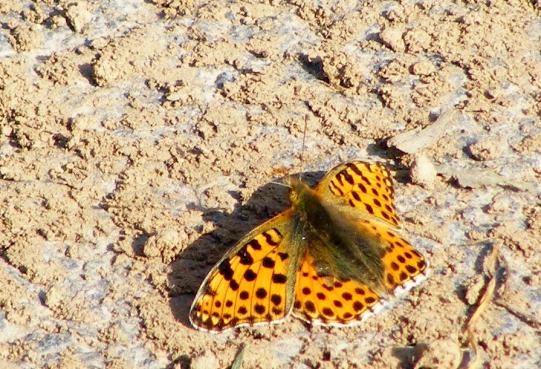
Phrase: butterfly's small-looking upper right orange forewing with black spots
[366,187]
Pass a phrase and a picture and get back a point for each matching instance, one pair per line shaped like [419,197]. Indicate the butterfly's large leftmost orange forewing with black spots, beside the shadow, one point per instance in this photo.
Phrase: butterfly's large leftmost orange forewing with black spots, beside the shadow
[252,283]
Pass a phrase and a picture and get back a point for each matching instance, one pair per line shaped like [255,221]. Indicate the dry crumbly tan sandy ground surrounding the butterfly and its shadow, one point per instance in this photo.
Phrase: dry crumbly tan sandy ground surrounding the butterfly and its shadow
[139,140]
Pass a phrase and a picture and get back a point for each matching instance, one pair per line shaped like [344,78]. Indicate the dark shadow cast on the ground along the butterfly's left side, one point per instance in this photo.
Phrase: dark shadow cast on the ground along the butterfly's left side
[189,269]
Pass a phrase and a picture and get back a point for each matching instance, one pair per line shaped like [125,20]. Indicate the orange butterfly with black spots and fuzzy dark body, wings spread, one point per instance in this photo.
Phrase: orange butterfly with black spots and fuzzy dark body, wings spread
[332,258]
